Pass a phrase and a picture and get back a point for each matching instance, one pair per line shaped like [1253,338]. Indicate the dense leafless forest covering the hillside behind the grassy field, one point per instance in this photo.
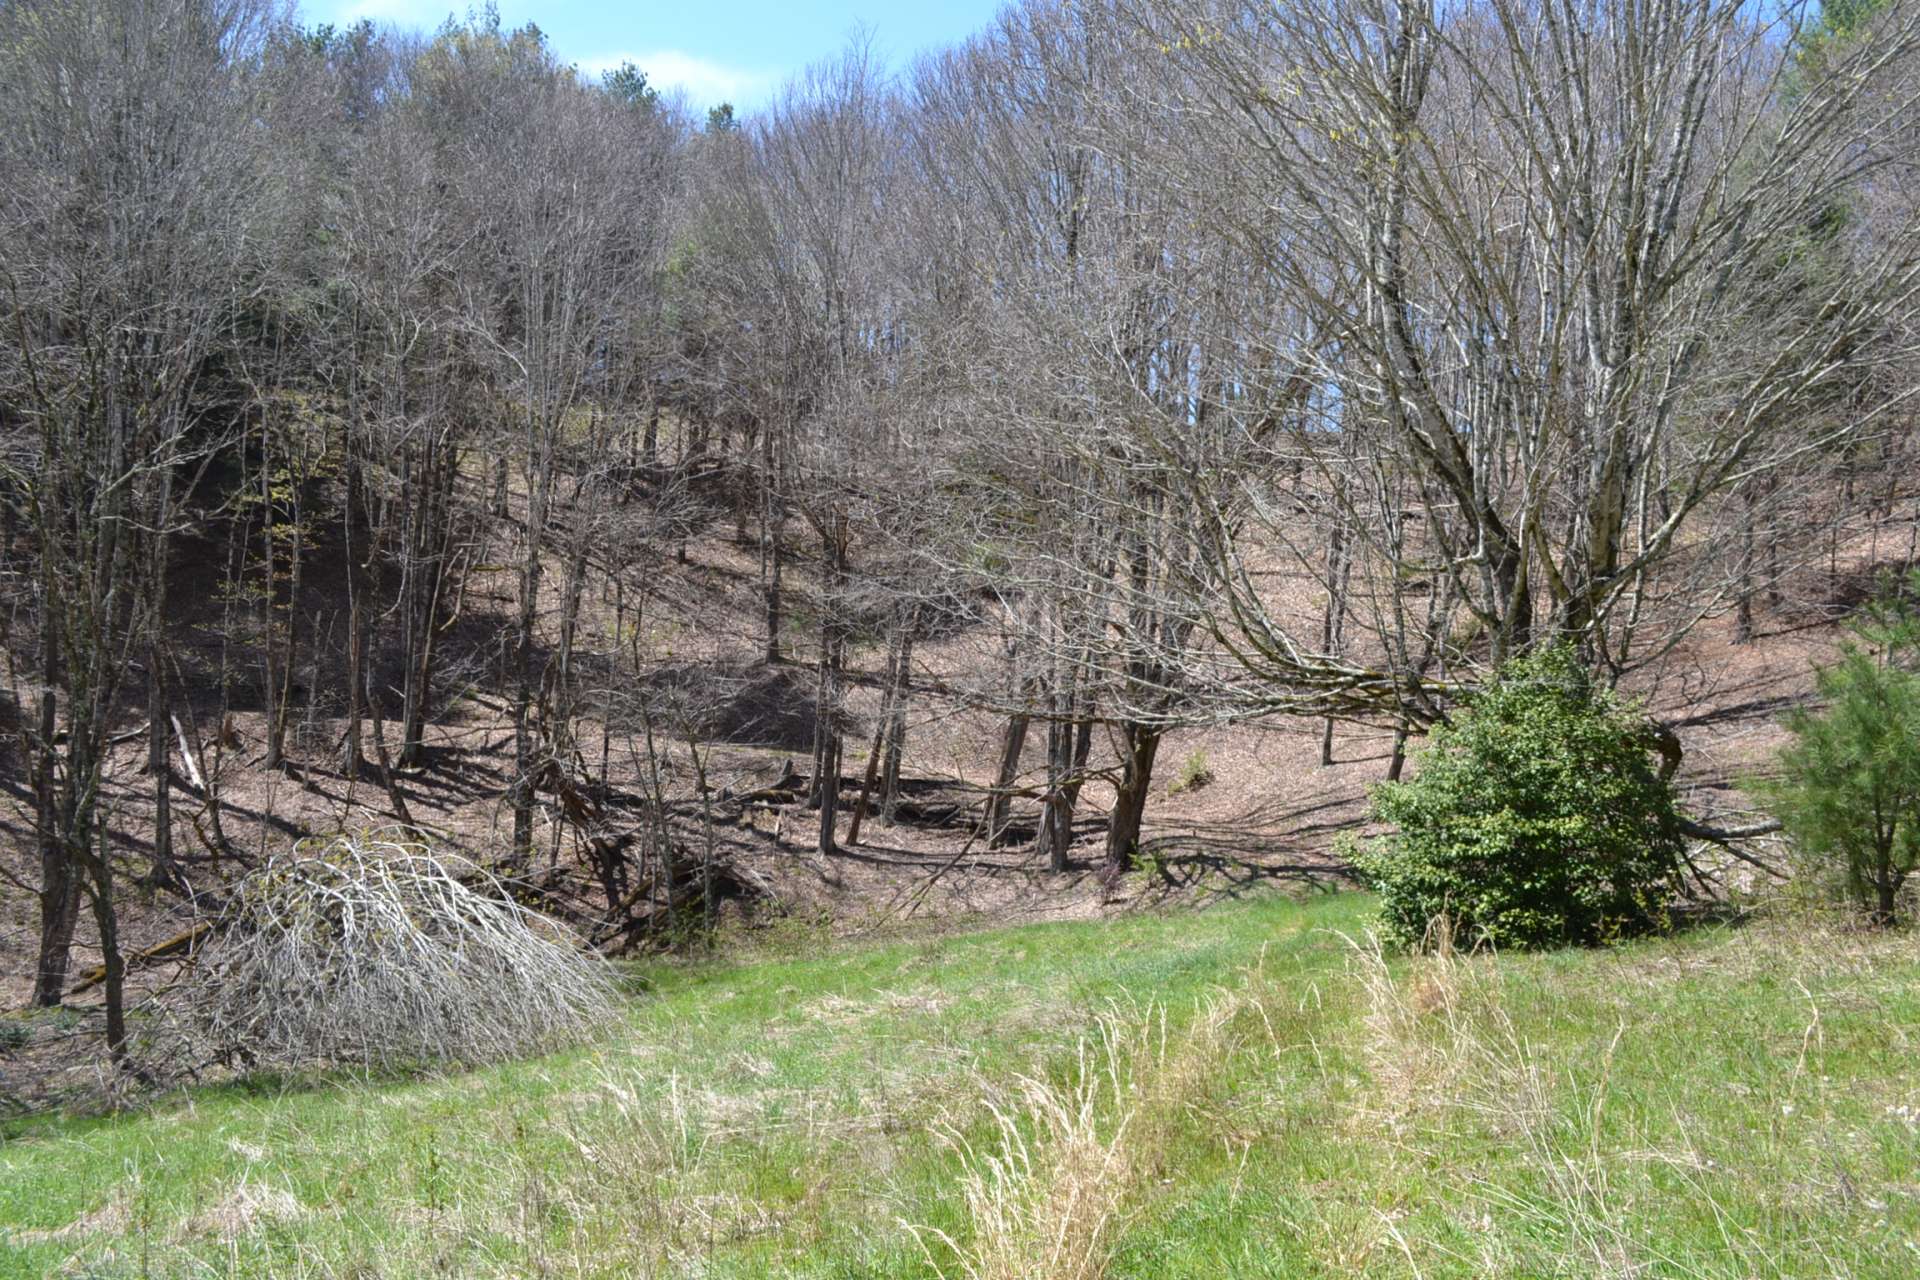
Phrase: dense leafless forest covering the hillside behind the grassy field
[1134,367]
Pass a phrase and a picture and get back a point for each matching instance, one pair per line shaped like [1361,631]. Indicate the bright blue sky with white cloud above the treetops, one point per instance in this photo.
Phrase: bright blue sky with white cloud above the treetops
[717,51]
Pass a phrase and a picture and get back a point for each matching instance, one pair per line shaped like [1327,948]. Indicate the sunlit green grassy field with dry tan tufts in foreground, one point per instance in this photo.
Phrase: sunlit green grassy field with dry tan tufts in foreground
[1241,1093]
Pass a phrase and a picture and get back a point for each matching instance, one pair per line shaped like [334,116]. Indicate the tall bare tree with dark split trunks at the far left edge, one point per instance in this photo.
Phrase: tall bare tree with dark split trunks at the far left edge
[130,193]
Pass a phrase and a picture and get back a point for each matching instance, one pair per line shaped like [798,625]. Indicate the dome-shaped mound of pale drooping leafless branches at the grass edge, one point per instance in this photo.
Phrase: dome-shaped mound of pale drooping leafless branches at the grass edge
[381,953]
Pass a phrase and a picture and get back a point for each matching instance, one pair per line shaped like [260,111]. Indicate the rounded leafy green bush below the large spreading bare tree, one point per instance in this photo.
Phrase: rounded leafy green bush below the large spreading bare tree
[1537,818]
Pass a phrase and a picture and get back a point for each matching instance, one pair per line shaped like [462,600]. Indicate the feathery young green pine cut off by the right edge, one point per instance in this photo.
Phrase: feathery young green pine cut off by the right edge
[1850,790]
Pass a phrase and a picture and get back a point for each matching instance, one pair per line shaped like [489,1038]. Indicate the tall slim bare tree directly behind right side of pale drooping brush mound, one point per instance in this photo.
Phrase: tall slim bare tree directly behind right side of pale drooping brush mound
[550,187]
